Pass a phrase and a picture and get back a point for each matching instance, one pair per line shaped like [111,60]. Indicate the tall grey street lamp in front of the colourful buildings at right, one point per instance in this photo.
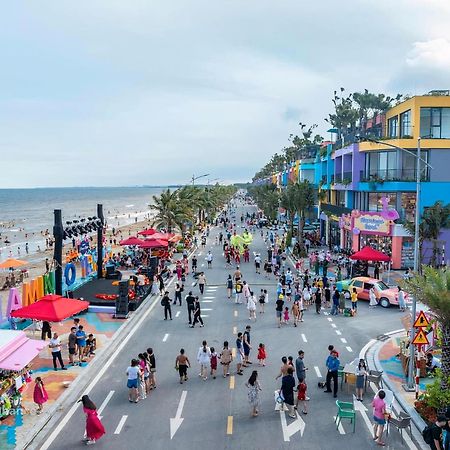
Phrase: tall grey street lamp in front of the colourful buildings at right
[410,385]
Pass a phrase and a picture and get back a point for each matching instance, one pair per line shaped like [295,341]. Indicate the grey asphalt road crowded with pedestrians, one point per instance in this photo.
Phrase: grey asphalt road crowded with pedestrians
[216,412]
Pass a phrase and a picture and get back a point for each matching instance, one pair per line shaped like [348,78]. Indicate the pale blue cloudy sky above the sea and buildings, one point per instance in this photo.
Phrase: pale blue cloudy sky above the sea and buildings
[113,92]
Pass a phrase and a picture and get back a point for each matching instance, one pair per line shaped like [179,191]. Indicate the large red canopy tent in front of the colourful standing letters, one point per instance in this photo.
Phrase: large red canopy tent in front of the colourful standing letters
[52,308]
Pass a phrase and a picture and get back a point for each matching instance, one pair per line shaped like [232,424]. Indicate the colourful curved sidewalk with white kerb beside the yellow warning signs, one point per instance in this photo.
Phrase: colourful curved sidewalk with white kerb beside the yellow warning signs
[381,356]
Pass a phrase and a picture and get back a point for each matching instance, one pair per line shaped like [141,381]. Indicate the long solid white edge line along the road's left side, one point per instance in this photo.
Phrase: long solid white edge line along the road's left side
[99,375]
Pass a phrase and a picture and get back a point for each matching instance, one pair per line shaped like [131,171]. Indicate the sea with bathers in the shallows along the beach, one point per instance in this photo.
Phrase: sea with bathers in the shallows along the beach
[26,214]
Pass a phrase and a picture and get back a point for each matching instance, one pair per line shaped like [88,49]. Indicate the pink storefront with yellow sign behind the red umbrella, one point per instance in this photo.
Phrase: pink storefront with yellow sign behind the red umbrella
[378,230]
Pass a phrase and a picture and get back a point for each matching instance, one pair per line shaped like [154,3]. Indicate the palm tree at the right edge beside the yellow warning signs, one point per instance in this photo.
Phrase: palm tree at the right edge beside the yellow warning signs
[433,289]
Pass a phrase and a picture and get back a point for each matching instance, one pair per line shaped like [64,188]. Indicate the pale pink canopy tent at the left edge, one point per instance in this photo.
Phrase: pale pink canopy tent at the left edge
[17,350]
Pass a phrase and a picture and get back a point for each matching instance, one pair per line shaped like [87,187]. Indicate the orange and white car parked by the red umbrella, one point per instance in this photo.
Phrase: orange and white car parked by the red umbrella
[386,295]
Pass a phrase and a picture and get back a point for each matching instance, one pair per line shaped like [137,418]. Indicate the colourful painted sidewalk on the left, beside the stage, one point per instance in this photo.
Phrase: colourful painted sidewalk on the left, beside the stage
[15,429]
